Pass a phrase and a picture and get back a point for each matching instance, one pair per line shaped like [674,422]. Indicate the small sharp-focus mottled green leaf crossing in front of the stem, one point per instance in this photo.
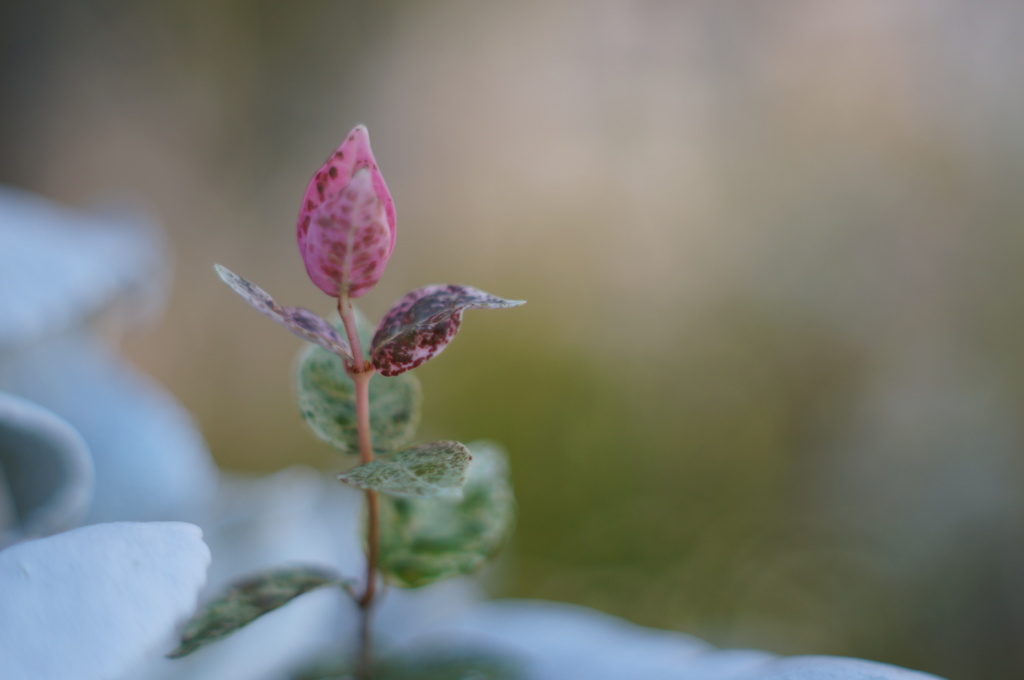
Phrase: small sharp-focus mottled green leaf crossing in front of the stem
[432,470]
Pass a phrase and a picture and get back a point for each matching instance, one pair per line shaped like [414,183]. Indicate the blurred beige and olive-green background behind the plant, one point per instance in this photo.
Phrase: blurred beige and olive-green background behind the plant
[769,388]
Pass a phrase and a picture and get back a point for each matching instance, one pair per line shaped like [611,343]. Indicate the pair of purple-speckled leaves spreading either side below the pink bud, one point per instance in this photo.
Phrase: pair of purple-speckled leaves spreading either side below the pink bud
[417,328]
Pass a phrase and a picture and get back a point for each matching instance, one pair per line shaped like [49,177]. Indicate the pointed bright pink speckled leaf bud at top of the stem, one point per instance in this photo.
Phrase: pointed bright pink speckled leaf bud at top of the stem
[347,226]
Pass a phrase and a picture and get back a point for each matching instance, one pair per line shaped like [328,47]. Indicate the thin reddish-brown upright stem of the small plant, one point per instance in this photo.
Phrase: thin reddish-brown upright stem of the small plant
[361,372]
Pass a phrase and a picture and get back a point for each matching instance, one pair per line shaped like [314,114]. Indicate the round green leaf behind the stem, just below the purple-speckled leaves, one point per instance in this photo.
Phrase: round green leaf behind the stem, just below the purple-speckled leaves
[327,400]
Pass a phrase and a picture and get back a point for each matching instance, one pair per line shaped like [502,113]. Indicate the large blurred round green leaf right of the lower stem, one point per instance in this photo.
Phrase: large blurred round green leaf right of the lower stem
[424,540]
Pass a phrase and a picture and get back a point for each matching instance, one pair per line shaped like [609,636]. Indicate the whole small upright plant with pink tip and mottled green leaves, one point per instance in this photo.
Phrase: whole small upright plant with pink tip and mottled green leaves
[433,511]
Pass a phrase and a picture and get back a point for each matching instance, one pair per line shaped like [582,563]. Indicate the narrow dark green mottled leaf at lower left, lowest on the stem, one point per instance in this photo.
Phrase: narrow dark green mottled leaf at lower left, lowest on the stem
[249,600]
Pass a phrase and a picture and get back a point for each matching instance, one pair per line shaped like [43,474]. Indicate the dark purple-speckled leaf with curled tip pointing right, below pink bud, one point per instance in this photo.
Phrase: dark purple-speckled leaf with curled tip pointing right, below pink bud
[423,323]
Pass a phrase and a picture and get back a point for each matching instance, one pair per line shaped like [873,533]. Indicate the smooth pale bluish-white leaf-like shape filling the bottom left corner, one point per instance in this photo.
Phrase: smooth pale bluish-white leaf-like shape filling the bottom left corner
[89,604]
